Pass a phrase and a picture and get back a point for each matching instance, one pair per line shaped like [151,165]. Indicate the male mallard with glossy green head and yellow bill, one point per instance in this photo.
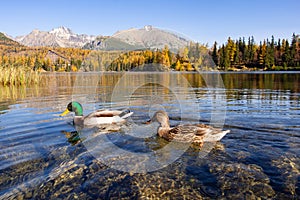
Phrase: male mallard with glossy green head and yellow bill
[98,118]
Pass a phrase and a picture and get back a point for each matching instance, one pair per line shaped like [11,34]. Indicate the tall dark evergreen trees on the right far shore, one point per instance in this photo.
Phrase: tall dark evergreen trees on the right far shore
[267,55]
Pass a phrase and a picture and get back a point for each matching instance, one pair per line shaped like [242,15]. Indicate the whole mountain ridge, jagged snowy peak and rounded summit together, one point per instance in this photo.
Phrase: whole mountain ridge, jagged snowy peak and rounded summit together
[147,37]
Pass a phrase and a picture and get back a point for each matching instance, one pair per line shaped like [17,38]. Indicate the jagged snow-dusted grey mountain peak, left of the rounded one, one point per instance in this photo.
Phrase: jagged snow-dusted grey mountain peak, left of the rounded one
[58,37]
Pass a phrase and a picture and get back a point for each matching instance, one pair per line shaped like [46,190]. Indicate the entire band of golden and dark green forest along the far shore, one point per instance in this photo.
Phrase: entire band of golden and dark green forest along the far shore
[234,55]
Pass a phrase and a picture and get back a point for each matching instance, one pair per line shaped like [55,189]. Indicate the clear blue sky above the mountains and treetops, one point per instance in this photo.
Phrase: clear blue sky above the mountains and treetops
[200,20]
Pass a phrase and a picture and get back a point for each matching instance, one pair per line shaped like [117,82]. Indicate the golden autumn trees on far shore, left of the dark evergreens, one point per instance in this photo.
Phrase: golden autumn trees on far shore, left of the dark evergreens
[188,58]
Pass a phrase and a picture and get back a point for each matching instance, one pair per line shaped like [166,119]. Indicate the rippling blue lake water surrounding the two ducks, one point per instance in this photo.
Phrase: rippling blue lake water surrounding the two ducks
[43,156]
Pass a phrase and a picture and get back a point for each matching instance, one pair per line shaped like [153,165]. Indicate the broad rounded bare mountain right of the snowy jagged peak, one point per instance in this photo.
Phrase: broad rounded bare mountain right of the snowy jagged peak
[143,38]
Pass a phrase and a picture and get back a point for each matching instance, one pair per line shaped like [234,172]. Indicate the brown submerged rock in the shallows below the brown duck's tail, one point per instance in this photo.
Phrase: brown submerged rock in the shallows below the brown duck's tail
[240,181]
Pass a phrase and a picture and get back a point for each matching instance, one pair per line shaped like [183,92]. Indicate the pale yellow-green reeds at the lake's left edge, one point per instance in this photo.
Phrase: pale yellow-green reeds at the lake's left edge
[18,76]
